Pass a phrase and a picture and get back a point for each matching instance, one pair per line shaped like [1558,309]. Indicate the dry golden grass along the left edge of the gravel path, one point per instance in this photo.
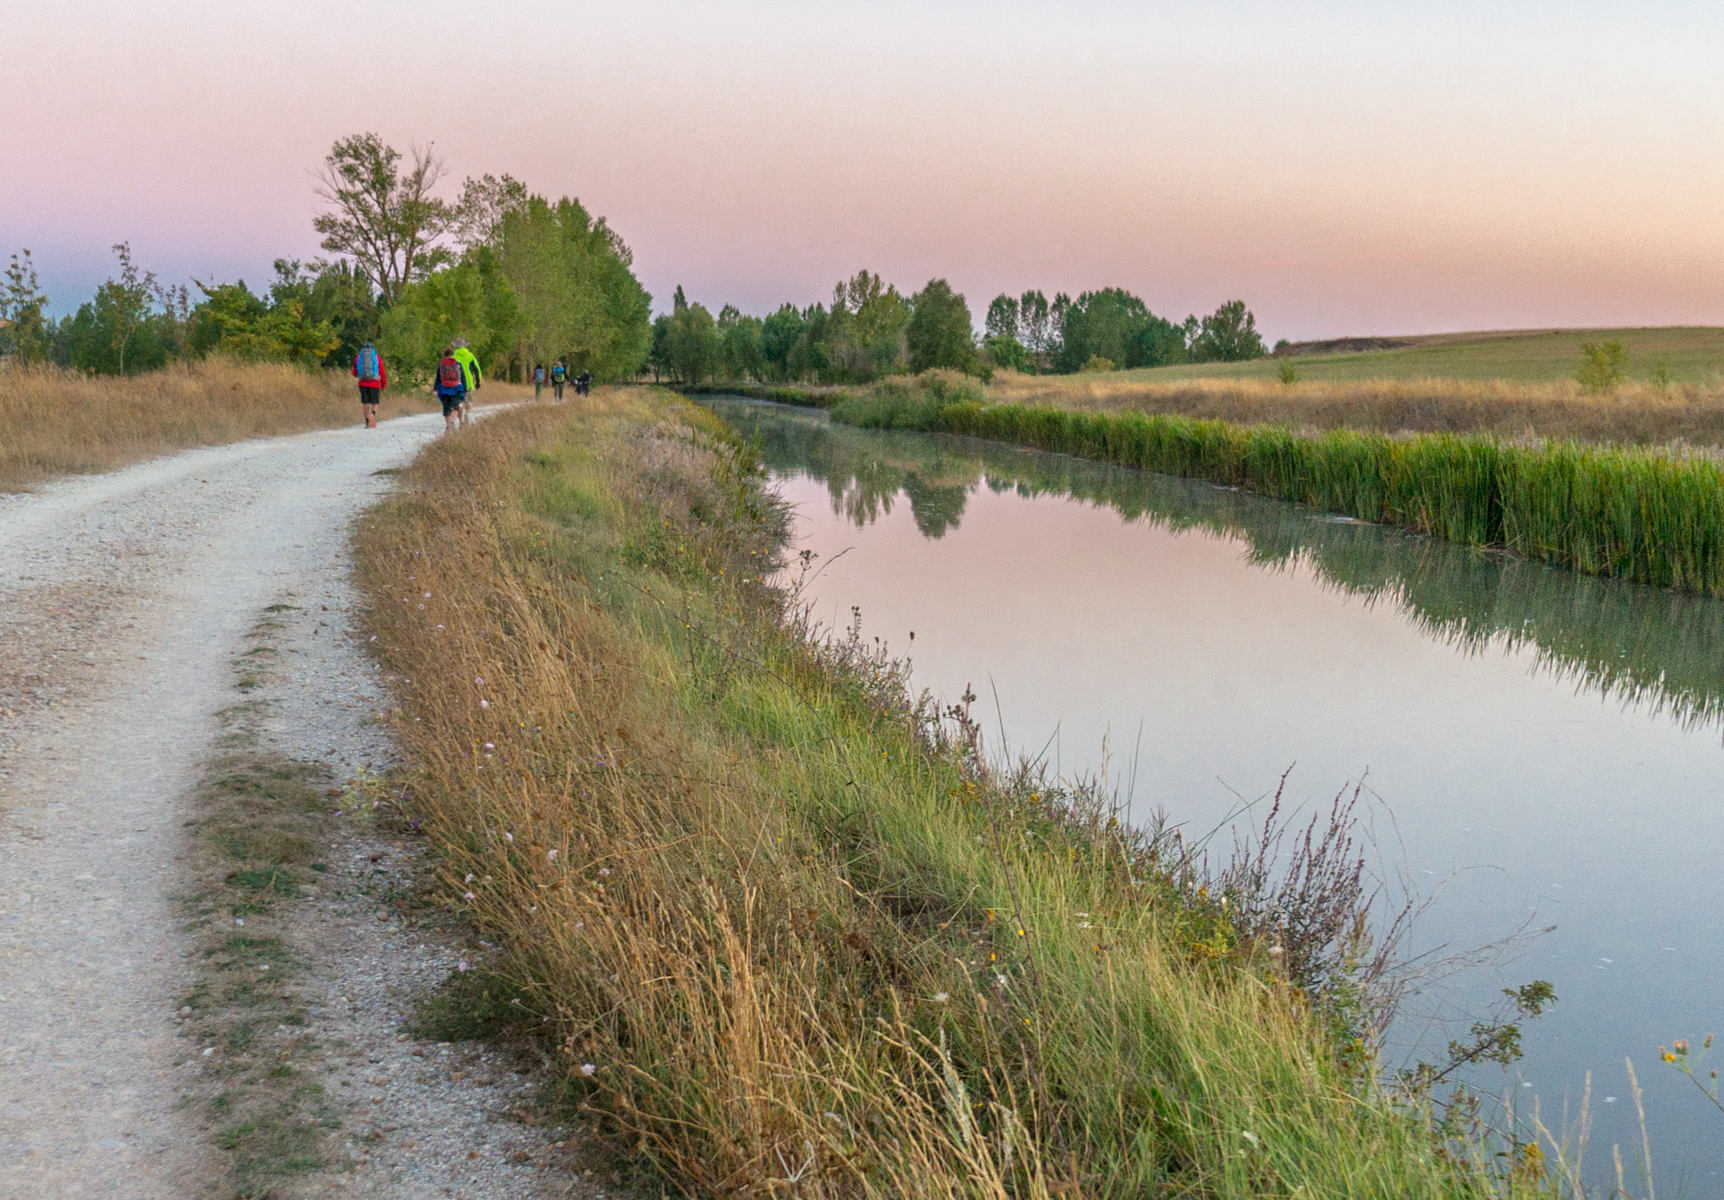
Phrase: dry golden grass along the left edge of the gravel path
[56,422]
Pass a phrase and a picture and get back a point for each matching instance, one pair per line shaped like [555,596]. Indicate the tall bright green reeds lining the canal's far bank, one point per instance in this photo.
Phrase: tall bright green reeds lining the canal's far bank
[1635,515]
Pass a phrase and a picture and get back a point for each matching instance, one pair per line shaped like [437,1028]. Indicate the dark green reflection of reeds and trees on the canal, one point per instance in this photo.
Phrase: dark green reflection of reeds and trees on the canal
[1656,651]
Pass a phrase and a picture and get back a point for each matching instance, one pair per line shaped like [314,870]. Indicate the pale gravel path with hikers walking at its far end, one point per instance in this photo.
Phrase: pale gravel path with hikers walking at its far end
[125,604]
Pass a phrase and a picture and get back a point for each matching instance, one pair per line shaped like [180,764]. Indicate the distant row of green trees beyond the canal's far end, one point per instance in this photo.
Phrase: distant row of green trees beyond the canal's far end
[873,330]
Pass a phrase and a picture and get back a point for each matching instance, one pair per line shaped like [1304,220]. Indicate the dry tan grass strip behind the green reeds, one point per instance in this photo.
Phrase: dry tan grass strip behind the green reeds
[1632,415]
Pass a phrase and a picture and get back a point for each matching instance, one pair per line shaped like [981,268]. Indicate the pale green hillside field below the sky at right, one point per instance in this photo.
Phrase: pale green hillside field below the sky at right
[1537,356]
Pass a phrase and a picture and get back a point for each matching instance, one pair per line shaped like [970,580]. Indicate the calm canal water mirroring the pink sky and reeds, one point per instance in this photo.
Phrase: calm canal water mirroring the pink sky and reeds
[1539,749]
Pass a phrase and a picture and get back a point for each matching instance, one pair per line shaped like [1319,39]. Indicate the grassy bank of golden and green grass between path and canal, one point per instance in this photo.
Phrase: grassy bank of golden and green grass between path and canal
[785,932]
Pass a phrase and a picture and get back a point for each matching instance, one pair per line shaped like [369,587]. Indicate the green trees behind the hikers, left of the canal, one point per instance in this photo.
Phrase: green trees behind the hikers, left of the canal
[525,280]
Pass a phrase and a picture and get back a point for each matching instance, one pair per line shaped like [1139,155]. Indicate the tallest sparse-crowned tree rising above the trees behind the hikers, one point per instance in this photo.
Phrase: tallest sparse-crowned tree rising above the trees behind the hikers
[387,222]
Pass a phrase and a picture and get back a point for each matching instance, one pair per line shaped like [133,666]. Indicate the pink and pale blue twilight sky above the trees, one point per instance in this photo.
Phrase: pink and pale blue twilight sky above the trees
[1344,168]
